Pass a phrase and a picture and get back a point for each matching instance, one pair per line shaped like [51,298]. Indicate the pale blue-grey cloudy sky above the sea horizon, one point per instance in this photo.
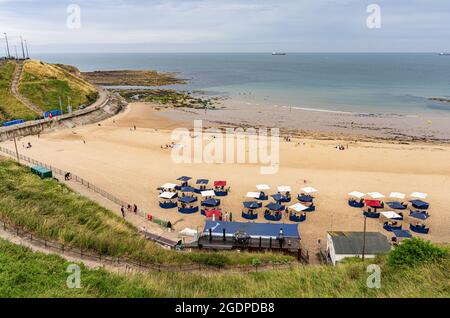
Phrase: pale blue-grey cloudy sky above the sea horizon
[226,25]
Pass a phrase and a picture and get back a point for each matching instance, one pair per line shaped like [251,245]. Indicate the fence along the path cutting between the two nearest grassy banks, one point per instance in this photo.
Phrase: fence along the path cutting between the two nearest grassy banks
[129,264]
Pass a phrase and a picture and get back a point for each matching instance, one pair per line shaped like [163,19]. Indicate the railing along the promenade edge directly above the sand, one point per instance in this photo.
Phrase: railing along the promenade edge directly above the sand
[83,182]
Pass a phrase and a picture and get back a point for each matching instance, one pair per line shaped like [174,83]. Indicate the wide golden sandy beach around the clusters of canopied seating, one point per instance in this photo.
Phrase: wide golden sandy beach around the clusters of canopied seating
[131,165]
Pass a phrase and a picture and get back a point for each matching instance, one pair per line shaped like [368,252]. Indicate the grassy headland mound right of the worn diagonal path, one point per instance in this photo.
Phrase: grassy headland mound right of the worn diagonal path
[43,83]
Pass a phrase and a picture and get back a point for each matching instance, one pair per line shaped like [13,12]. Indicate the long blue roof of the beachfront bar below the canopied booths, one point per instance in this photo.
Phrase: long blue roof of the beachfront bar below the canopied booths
[255,230]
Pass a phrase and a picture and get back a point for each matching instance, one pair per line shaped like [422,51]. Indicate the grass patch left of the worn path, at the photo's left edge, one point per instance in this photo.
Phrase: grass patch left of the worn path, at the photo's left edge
[10,107]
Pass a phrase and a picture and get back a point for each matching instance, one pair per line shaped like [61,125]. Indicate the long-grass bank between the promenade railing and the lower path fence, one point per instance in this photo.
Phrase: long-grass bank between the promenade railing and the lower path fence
[51,210]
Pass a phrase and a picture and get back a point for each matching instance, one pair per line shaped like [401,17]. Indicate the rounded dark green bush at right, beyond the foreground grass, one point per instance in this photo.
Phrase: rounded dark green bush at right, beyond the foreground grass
[415,251]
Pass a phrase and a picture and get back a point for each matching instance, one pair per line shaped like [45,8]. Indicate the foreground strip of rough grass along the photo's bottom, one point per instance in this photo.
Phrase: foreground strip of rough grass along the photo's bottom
[27,274]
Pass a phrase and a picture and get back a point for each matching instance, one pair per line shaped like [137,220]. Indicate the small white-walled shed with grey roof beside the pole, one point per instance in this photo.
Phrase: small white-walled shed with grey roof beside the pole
[350,244]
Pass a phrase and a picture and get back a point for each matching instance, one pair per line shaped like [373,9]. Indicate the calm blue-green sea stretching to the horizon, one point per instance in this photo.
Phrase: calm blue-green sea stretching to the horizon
[367,83]
